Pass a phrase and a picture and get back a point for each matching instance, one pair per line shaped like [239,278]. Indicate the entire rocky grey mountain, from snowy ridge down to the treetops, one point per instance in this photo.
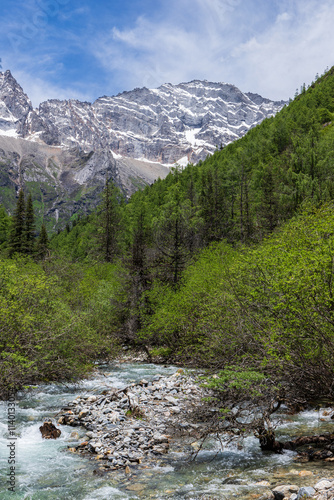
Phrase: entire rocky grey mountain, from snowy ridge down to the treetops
[70,146]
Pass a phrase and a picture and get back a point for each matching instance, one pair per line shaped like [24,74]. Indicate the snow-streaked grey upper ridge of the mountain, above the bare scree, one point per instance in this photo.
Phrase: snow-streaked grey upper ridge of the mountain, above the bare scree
[174,123]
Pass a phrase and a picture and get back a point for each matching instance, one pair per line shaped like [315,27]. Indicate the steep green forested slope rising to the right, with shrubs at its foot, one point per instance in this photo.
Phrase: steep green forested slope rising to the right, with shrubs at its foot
[188,268]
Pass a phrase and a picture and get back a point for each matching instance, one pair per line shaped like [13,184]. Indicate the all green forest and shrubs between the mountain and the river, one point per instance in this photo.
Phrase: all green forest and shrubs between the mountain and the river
[226,265]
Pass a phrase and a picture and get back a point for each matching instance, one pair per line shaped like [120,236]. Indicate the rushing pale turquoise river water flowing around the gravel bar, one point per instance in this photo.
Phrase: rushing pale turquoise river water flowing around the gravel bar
[45,469]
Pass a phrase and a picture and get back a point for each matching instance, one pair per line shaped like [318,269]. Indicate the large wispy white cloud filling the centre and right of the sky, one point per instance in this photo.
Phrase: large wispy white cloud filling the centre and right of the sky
[260,49]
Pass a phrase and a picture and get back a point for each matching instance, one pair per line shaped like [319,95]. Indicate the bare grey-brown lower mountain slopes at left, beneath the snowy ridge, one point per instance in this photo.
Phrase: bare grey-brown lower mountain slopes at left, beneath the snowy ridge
[65,181]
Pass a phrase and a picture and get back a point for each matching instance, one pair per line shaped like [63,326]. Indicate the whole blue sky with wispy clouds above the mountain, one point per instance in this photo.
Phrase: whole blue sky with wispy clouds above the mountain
[85,49]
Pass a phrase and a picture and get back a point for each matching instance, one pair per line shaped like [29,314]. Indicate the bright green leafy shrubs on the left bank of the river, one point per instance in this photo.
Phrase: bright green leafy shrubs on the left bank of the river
[42,335]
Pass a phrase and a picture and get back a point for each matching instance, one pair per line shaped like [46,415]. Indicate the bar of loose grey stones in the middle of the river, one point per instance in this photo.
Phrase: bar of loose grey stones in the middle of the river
[129,433]
